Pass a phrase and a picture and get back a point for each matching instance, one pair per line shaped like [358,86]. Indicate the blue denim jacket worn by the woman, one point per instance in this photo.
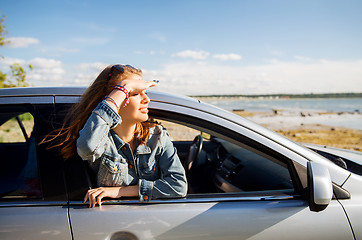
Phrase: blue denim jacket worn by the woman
[155,167]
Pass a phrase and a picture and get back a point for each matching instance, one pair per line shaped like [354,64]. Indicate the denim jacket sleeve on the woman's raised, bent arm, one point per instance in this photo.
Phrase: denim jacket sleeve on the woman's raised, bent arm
[93,138]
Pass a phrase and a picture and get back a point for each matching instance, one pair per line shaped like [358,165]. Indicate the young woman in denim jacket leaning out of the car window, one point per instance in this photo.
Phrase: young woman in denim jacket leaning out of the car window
[130,156]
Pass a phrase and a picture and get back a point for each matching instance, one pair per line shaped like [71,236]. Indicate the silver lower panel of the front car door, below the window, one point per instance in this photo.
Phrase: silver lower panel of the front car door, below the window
[233,219]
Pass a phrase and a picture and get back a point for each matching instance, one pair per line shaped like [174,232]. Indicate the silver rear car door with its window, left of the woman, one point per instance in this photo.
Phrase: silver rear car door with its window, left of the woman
[33,204]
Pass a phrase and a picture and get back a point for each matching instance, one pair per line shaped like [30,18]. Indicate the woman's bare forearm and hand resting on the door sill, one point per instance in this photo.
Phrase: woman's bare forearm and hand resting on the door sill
[95,196]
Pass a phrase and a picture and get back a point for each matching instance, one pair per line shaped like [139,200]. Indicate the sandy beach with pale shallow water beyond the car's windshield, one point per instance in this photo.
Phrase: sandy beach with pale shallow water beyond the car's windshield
[324,128]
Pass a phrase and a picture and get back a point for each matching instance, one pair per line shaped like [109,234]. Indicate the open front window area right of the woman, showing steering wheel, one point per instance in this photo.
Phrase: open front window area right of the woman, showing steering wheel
[221,166]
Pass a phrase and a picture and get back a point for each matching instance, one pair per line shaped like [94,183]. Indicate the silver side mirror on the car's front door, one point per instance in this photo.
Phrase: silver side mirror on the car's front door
[320,189]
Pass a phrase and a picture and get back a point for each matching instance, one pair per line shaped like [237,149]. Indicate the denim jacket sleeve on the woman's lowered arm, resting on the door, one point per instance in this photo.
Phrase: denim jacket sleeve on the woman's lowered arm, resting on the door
[172,182]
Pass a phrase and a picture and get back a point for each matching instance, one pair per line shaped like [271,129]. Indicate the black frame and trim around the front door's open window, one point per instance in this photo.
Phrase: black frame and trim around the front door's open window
[202,125]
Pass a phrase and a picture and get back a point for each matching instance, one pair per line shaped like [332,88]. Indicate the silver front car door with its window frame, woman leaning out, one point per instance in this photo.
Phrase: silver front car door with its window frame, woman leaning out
[265,201]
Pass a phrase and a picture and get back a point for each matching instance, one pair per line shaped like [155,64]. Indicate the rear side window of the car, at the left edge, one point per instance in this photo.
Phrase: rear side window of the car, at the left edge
[19,168]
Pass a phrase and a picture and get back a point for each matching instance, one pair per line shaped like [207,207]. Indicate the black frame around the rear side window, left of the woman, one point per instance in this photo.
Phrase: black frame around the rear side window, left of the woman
[52,182]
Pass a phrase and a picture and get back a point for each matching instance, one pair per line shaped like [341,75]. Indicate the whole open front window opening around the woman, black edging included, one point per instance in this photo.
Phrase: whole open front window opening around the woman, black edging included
[225,165]
